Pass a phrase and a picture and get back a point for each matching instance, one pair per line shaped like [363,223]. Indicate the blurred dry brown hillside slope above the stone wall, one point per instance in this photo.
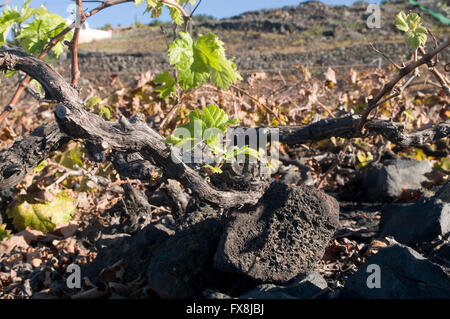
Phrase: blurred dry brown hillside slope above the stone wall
[310,26]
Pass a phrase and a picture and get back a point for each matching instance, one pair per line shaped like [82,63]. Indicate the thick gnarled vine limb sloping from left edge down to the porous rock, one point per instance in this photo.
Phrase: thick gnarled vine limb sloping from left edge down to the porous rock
[123,135]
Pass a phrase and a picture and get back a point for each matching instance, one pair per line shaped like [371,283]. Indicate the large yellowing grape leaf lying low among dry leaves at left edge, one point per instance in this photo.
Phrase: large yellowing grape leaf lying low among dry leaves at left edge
[44,217]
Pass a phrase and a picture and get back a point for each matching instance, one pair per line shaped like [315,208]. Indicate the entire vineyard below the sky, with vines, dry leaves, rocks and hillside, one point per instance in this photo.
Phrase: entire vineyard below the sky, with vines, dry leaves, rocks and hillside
[302,161]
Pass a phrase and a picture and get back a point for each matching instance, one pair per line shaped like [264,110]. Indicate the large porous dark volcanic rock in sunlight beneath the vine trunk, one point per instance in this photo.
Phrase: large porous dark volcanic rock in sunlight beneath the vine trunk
[283,238]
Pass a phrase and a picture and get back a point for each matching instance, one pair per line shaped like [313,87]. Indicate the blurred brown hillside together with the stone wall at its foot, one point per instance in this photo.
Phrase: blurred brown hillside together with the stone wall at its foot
[311,34]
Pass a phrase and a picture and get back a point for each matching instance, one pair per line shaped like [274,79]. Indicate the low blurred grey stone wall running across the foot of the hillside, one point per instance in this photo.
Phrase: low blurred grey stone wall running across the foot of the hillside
[359,56]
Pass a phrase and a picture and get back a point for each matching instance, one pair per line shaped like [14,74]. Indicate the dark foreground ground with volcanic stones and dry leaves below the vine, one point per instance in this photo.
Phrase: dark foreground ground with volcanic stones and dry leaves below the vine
[297,242]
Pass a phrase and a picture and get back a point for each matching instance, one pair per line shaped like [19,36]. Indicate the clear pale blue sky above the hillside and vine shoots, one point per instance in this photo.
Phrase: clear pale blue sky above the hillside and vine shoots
[127,13]
